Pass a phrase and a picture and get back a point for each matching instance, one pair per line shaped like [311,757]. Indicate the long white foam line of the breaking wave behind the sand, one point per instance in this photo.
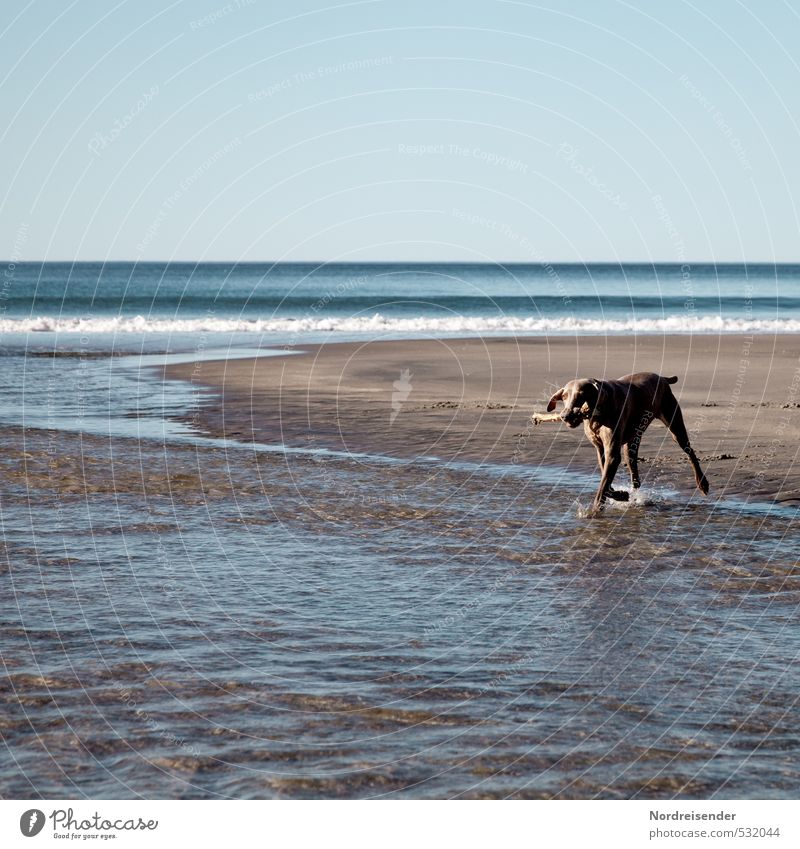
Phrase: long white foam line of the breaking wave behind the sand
[382,324]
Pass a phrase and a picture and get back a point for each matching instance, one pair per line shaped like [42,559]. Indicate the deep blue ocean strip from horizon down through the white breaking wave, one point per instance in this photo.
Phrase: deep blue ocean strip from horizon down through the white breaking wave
[290,298]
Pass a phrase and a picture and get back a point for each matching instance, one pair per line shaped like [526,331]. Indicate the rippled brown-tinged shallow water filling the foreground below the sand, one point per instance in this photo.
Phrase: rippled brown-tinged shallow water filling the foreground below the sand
[211,620]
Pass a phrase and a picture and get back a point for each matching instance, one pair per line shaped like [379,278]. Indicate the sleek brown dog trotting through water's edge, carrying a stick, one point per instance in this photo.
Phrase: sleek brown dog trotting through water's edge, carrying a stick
[615,415]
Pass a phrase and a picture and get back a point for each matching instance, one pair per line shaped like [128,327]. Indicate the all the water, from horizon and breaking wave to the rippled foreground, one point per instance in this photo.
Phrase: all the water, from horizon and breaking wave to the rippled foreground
[193,617]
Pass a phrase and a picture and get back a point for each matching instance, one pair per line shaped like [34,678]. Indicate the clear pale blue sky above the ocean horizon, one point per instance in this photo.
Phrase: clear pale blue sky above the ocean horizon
[488,131]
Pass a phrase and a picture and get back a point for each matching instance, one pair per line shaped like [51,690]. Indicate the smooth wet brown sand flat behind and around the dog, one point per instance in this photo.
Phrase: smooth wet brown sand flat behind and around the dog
[471,399]
